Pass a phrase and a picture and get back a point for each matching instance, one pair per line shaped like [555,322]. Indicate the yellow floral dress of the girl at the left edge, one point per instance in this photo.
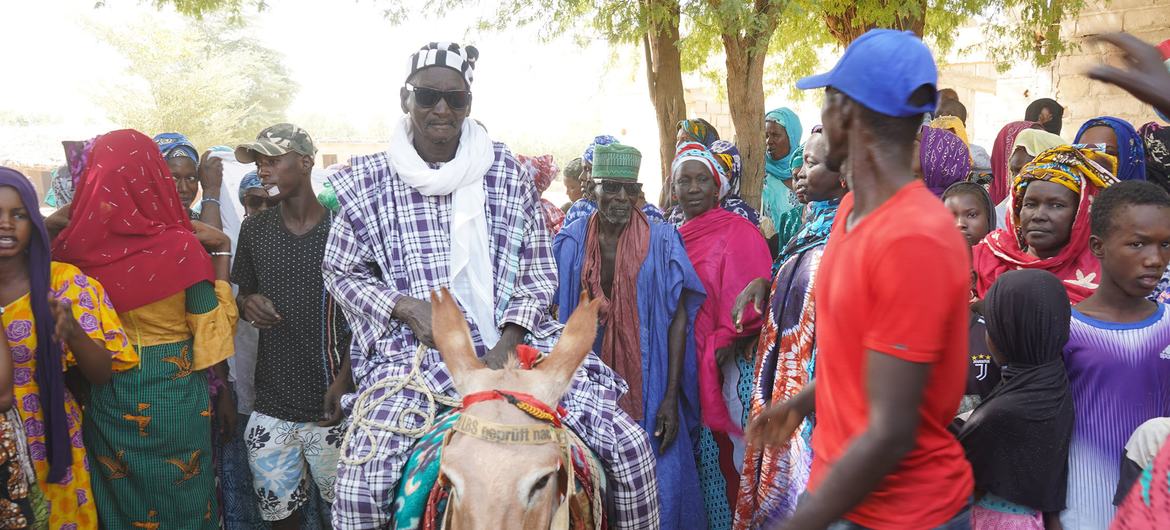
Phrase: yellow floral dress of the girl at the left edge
[71,503]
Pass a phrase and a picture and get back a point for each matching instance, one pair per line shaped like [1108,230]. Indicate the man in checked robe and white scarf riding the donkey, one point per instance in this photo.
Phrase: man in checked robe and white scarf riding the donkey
[445,207]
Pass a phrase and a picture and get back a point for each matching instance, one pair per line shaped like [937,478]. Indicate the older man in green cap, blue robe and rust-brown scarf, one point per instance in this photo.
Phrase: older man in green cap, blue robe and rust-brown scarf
[651,295]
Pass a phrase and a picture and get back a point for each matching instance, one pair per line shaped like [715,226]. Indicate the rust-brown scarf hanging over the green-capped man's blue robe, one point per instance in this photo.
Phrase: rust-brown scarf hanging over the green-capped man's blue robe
[622,346]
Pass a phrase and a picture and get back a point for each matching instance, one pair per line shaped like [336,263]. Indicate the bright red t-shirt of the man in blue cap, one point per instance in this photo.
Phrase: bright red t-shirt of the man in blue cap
[898,284]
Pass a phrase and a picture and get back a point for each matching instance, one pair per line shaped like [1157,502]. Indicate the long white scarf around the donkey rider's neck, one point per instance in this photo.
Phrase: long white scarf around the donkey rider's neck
[471,259]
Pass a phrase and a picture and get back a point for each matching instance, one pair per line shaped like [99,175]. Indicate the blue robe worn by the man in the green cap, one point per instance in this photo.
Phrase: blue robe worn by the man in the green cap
[664,278]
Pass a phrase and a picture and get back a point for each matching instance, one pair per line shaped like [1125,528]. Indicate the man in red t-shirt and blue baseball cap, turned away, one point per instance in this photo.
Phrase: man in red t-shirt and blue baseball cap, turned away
[892,312]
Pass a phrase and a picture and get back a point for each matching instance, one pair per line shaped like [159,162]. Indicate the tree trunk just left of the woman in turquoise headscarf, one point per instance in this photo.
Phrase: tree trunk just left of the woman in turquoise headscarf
[746,100]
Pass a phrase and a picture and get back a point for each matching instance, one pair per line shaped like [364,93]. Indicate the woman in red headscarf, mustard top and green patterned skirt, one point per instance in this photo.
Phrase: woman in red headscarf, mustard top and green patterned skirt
[150,428]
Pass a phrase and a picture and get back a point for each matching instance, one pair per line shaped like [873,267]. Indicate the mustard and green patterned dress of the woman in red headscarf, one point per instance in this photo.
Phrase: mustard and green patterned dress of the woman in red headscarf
[150,429]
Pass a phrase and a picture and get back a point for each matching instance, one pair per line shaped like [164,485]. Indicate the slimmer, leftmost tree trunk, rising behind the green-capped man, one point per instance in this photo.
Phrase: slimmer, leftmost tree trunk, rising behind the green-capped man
[664,75]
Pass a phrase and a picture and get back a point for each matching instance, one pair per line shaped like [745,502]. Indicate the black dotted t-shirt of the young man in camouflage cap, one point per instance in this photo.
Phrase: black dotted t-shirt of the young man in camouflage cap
[297,360]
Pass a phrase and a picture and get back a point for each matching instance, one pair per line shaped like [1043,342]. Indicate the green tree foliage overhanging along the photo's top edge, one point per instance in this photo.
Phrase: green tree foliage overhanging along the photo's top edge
[1018,30]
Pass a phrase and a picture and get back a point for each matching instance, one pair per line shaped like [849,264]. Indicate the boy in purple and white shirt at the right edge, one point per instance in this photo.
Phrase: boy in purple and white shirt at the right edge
[1119,348]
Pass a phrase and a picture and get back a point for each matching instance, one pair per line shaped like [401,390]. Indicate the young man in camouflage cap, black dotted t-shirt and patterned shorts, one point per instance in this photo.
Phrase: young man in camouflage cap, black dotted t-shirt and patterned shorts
[302,363]
